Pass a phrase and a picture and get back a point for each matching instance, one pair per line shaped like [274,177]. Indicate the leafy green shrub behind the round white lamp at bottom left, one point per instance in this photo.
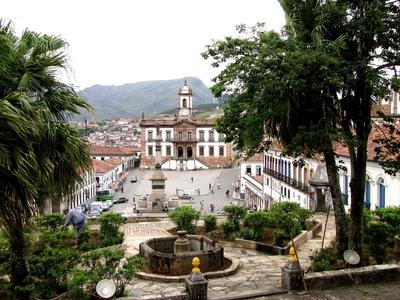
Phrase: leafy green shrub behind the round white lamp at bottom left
[104,264]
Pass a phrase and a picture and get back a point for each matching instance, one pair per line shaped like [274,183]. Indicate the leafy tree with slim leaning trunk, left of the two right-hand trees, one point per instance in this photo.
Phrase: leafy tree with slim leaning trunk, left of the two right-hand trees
[276,82]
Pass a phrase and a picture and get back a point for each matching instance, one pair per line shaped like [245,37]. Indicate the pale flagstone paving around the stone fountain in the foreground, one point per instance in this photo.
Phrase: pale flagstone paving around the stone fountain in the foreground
[258,271]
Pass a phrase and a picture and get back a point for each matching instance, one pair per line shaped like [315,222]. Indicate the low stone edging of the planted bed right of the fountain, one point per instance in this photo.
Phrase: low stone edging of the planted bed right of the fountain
[303,237]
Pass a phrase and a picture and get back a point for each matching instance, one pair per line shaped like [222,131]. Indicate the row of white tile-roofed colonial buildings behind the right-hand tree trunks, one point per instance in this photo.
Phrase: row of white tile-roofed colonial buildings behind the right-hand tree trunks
[307,183]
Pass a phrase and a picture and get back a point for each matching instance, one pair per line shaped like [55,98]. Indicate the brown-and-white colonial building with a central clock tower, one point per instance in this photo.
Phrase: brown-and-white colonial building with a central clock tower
[187,143]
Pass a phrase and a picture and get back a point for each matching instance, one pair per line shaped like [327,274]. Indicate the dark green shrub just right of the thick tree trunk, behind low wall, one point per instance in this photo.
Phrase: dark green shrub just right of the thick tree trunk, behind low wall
[376,237]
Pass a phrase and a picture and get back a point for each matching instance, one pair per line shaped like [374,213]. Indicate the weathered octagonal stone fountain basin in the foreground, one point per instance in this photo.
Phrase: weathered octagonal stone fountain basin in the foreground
[161,259]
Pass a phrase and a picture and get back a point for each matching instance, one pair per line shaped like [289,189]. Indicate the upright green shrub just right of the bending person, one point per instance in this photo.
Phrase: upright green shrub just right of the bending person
[109,229]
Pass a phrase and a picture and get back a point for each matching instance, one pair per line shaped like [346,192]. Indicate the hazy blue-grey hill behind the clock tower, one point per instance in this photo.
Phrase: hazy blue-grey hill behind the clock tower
[150,97]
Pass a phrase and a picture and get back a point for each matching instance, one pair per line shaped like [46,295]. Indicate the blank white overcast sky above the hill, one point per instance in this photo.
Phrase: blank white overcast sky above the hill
[125,41]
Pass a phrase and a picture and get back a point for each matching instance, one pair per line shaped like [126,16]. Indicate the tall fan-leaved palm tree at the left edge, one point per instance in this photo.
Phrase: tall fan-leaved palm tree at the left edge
[41,156]
